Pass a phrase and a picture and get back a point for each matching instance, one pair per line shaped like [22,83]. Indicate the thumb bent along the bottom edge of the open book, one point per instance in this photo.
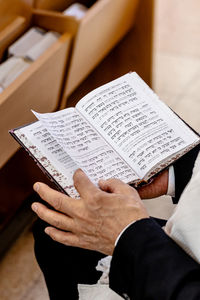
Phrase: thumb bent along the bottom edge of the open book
[116,186]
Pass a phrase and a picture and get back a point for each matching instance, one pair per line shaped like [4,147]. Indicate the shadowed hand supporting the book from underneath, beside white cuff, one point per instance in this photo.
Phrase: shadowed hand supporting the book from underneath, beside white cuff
[156,188]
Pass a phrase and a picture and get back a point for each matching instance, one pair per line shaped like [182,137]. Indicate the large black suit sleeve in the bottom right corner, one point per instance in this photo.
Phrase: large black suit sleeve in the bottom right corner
[147,264]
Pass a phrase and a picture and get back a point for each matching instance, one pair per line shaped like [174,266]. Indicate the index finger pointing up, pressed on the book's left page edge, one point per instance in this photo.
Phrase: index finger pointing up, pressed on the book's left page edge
[83,185]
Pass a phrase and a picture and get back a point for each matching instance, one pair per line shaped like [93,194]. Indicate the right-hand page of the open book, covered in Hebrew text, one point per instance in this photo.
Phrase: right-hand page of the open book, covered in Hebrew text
[142,129]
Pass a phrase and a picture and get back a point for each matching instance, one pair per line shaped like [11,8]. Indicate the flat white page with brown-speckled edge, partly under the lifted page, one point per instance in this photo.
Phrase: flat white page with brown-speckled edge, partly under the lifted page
[51,155]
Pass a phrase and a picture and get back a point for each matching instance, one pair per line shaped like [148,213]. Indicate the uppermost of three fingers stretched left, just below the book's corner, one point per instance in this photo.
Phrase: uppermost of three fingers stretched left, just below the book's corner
[58,200]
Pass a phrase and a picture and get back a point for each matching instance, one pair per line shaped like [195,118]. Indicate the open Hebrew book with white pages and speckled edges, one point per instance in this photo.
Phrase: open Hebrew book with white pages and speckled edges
[119,130]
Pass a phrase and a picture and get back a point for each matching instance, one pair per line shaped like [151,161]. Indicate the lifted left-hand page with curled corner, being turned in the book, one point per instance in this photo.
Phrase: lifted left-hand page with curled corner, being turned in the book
[85,146]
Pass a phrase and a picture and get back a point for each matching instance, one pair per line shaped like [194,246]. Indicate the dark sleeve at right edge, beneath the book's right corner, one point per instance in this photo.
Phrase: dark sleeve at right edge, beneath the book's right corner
[183,171]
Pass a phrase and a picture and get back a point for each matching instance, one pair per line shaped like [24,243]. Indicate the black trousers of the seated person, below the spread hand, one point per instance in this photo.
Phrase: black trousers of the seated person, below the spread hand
[63,266]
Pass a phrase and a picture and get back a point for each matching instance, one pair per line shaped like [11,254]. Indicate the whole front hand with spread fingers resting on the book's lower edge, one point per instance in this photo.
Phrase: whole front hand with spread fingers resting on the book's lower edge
[93,221]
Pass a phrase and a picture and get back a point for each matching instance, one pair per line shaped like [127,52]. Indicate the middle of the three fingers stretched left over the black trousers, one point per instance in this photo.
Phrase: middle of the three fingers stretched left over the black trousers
[53,218]
